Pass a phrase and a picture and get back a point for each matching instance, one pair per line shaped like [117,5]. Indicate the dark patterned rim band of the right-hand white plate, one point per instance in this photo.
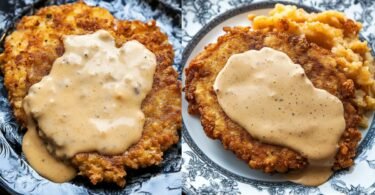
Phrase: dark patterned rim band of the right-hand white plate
[185,133]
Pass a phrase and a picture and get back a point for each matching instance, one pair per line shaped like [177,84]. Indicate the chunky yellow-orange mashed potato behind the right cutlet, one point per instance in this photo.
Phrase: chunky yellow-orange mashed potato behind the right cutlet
[334,31]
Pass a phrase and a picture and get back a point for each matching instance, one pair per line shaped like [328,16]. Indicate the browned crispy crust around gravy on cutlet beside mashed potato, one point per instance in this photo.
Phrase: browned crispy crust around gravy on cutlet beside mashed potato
[318,64]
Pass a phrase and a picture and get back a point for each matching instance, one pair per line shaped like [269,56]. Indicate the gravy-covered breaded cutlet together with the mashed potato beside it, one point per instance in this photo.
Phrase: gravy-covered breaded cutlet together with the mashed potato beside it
[281,99]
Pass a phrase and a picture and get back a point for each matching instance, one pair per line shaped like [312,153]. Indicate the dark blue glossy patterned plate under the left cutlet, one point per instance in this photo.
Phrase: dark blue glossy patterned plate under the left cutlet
[17,177]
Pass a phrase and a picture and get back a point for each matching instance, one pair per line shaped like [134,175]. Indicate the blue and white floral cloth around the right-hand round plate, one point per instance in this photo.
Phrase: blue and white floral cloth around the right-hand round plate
[200,177]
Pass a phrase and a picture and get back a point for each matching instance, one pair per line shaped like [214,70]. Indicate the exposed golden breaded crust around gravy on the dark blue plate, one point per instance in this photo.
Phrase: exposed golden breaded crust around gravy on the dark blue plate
[37,42]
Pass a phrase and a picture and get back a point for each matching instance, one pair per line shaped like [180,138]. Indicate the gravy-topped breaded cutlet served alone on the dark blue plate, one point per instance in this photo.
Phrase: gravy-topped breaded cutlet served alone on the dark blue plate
[97,95]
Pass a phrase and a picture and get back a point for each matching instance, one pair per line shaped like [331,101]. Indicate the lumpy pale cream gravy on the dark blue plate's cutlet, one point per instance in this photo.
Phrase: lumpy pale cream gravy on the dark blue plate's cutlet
[90,101]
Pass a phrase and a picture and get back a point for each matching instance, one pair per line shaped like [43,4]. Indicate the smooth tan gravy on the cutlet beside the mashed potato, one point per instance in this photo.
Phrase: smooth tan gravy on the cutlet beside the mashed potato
[272,98]
